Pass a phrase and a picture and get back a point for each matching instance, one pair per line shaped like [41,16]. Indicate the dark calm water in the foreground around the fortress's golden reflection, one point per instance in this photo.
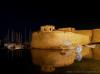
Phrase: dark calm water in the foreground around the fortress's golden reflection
[22,64]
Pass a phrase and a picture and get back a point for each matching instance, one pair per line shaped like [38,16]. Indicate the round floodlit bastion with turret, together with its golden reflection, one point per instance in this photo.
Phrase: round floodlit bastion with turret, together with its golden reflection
[48,43]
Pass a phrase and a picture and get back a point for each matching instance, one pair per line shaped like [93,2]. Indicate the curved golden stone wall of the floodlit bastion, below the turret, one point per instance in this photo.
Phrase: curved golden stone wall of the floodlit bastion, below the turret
[56,38]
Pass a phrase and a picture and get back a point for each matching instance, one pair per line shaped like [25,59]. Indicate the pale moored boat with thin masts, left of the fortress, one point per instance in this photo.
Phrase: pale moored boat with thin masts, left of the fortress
[14,44]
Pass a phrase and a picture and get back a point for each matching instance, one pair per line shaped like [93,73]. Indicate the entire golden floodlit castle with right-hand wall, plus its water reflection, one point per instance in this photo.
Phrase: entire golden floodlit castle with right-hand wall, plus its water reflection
[48,43]
